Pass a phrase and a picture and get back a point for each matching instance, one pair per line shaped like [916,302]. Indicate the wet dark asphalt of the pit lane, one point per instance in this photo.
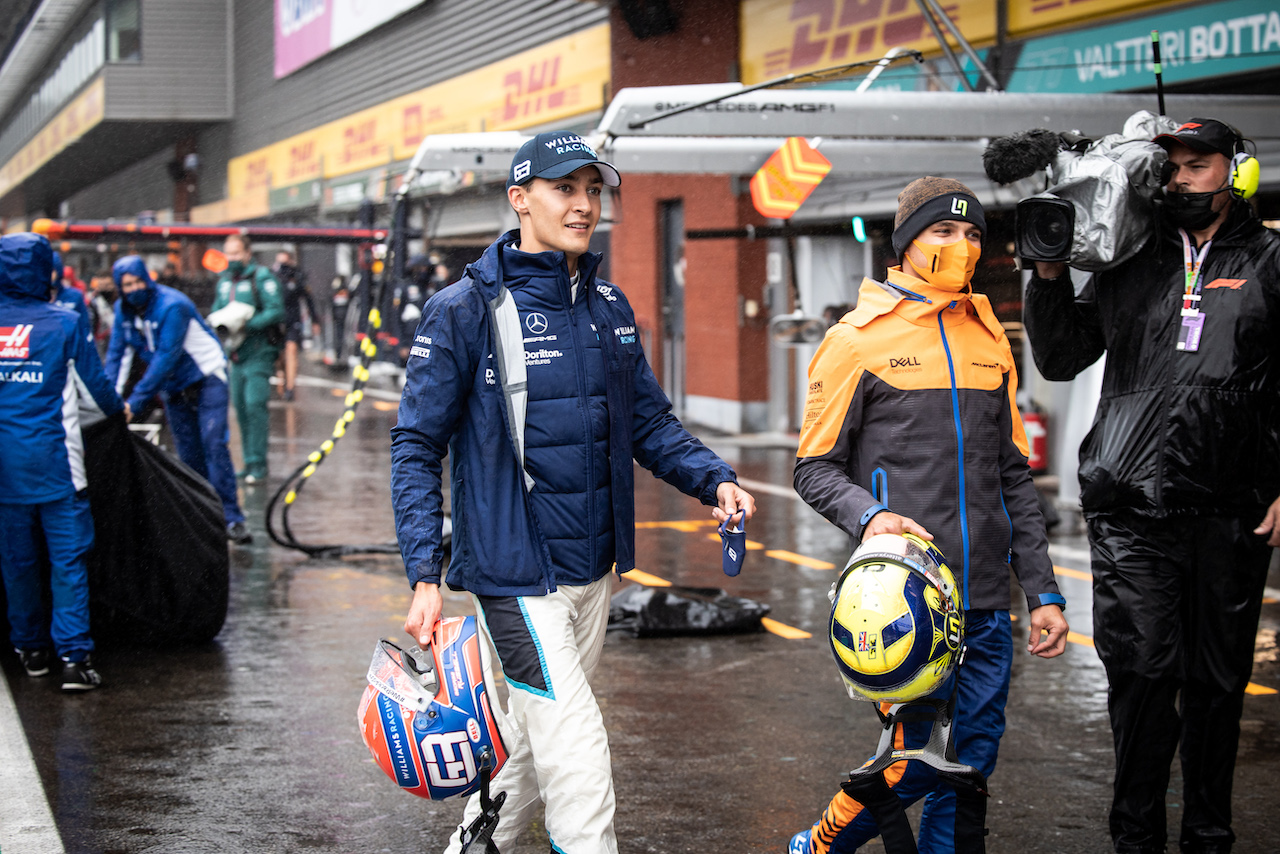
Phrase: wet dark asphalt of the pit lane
[726,745]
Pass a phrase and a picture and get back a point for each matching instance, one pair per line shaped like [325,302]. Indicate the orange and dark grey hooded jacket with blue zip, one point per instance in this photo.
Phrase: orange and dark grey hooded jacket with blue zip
[911,409]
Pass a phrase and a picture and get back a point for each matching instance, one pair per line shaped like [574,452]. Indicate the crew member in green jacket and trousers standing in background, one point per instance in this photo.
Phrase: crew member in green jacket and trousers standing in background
[253,363]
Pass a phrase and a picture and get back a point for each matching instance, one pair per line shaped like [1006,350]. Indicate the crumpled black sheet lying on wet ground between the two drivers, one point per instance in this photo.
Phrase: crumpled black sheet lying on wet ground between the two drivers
[657,613]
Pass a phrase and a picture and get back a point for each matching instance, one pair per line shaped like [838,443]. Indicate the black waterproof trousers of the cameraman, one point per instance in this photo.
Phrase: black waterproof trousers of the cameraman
[1176,616]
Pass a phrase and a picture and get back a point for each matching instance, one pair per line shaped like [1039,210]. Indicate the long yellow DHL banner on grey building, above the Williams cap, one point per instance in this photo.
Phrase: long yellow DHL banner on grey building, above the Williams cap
[547,84]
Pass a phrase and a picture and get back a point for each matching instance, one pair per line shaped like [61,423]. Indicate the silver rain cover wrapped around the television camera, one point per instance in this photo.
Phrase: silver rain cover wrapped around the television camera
[1112,185]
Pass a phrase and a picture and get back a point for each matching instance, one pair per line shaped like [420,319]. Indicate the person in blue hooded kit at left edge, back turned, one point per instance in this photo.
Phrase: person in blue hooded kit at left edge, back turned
[49,375]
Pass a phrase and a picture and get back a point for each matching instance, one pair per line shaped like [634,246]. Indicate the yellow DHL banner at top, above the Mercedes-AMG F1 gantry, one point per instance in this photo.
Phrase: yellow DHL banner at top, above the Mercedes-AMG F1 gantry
[792,36]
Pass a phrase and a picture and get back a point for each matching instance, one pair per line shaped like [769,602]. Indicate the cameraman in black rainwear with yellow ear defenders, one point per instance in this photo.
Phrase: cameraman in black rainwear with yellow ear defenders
[1180,478]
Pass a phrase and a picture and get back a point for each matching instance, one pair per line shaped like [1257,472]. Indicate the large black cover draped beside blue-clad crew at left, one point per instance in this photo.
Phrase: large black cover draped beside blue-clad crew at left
[159,570]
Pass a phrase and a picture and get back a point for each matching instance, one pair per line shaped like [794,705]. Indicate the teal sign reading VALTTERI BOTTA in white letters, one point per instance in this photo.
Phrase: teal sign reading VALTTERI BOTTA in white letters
[1197,43]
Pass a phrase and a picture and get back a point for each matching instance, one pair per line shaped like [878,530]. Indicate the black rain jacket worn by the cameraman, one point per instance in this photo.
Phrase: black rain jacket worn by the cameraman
[1176,433]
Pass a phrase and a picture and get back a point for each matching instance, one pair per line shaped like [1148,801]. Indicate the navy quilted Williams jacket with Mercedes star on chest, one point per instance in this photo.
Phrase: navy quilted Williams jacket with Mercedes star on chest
[548,497]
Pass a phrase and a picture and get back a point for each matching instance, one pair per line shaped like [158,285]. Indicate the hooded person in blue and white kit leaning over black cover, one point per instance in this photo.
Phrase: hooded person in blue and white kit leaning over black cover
[186,367]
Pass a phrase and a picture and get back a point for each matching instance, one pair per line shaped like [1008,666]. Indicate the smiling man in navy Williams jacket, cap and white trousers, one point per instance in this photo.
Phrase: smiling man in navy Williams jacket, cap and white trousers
[531,375]
